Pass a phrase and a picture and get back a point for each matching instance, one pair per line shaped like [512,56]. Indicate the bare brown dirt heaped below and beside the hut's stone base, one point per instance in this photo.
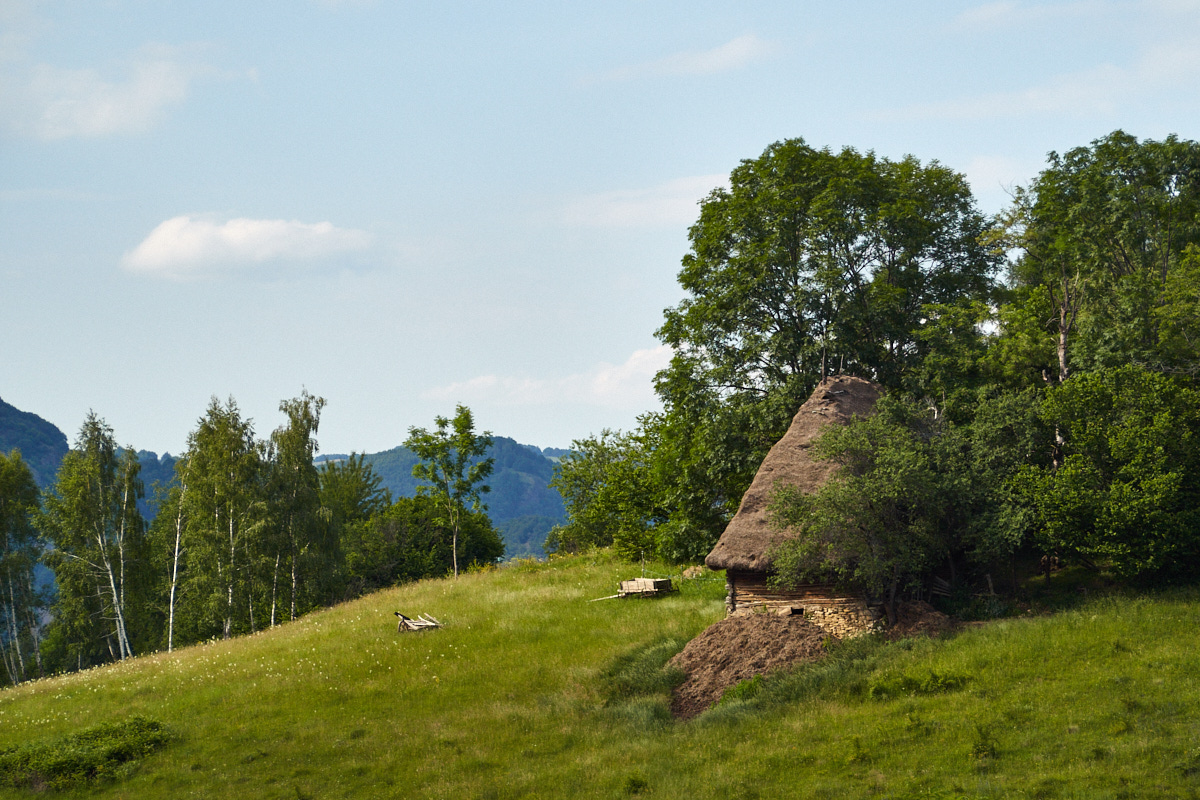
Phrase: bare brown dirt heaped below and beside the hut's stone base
[739,648]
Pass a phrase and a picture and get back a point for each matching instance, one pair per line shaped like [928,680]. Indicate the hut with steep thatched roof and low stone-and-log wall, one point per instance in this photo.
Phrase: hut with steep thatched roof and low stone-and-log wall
[745,549]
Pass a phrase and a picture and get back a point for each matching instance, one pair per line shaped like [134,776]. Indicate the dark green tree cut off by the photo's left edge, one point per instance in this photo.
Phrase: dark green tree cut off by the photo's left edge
[20,603]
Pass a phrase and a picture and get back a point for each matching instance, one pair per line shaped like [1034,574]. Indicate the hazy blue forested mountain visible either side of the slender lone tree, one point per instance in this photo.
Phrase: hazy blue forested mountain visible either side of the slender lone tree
[521,503]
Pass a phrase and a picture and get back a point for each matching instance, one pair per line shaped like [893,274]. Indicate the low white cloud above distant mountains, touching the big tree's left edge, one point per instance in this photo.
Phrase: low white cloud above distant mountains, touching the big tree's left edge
[626,387]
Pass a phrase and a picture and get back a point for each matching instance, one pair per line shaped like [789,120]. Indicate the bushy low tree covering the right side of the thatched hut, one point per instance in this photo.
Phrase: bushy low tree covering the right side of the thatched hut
[914,492]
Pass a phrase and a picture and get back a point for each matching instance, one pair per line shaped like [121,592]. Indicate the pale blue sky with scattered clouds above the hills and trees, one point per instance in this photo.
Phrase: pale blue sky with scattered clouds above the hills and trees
[407,206]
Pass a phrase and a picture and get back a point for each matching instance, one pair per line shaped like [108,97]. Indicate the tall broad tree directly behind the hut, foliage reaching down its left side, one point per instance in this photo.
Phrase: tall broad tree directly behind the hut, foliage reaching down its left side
[812,263]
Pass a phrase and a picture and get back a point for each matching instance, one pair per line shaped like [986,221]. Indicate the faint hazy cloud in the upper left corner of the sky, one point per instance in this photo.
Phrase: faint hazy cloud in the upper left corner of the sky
[52,104]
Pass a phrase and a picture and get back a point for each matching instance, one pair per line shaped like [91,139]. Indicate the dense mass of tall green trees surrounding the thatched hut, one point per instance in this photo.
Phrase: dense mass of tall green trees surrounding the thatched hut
[1040,366]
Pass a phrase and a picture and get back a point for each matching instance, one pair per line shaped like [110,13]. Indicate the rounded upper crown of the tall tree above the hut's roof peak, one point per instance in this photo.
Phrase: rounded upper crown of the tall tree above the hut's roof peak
[815,261]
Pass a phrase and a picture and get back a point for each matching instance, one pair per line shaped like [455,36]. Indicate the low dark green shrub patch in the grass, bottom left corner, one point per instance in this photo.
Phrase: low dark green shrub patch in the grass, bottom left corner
[103,753]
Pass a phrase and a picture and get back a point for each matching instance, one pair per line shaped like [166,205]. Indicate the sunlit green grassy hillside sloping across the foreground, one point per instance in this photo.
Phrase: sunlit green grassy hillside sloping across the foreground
[508,701]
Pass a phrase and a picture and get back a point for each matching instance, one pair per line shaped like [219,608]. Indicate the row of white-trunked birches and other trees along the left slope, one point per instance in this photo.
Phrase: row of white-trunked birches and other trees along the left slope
[248,536]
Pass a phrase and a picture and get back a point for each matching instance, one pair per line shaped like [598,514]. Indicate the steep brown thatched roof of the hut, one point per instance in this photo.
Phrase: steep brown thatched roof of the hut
[749,536]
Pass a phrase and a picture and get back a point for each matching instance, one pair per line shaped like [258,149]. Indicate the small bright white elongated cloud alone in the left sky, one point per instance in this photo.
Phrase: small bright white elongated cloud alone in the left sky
[187,246]
